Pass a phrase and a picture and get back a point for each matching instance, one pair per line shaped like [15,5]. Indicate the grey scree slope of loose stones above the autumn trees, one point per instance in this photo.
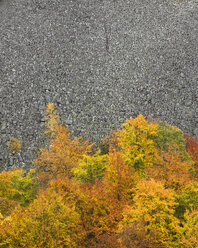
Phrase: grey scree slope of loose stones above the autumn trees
[100,62]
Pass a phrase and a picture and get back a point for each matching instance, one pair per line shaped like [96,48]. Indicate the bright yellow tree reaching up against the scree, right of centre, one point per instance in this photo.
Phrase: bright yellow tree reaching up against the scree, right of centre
[136,144]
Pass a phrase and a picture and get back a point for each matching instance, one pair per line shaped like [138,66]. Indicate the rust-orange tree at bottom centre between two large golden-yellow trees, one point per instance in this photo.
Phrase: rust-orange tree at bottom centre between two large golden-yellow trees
[101,212]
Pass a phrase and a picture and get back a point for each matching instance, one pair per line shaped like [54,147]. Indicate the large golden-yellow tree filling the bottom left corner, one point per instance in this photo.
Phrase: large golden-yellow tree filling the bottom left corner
[49,222]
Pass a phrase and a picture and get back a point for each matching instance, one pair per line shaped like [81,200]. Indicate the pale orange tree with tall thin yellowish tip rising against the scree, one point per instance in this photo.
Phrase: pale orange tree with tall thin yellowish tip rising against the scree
[63,152]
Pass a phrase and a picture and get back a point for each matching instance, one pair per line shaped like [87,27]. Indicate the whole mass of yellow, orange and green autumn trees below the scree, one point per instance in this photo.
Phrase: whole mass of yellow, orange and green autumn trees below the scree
[129,202]
